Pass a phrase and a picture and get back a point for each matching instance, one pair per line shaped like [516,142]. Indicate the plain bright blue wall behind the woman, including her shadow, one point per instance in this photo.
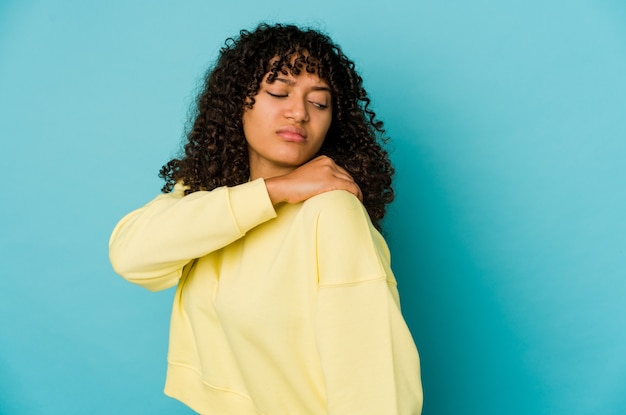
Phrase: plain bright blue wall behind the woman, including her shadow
[508,233]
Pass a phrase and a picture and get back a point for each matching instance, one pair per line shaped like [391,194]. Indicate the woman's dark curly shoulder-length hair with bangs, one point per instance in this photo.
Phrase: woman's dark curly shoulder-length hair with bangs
[216,152]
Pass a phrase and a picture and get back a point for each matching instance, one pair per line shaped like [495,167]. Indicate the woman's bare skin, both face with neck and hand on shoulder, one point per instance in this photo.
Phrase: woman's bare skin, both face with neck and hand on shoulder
[285,129]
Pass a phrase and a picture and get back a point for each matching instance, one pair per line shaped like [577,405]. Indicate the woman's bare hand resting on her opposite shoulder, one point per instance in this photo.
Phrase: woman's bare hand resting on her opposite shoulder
[317,176]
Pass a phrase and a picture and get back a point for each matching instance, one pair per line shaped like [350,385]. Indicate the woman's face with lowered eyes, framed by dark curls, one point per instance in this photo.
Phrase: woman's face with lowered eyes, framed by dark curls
[287,124]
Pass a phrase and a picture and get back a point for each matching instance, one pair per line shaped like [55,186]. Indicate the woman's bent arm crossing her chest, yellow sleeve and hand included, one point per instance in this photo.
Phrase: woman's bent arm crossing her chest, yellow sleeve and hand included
[151,245]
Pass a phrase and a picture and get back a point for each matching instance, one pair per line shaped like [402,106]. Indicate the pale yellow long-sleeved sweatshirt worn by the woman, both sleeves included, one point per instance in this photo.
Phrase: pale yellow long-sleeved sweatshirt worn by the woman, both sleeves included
[278,311]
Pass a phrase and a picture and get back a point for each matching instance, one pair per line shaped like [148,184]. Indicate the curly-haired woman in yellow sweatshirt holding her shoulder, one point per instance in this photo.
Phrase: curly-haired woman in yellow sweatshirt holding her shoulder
[285,303]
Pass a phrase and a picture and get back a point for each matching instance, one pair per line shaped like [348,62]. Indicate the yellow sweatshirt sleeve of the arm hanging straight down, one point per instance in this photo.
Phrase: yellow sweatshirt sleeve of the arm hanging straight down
[369,359]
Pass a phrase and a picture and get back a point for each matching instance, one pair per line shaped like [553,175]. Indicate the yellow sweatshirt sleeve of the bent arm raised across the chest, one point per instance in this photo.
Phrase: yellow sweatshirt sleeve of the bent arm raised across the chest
[151,245]
